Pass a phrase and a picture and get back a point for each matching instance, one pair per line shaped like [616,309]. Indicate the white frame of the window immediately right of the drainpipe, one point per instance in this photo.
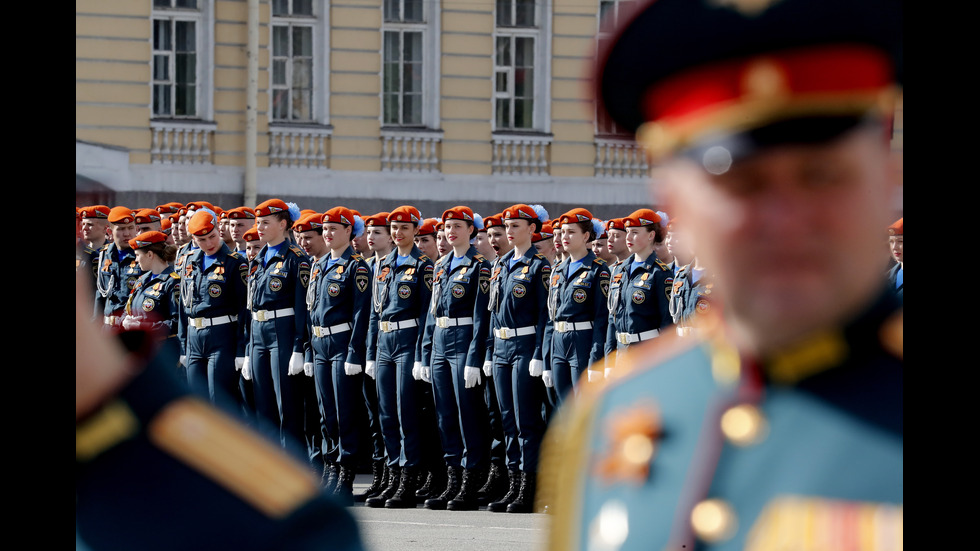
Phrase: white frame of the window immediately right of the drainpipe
[320,23]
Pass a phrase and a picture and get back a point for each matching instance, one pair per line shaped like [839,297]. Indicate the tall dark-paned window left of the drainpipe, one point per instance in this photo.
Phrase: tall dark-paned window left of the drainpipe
[177,28]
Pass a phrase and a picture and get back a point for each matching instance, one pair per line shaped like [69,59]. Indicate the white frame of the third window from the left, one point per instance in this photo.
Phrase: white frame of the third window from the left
[431,29]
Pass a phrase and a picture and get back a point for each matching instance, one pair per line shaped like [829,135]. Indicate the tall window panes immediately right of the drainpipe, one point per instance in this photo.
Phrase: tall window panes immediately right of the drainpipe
[293,23]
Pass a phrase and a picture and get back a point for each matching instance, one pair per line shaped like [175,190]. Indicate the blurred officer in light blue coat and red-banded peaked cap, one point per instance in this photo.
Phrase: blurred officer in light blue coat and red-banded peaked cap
[783,426]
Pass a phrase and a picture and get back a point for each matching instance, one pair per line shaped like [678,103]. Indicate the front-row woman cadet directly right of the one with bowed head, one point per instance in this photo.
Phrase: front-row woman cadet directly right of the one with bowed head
[277,302]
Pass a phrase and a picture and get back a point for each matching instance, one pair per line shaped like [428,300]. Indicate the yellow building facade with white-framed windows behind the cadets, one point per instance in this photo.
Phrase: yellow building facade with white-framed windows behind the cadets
[366,103]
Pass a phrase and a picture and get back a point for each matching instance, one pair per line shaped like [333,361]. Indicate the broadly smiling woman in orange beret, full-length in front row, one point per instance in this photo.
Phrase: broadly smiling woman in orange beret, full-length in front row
[394,354]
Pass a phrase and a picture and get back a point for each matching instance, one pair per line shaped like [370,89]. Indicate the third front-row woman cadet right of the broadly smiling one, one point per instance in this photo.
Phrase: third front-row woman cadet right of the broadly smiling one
[577,304]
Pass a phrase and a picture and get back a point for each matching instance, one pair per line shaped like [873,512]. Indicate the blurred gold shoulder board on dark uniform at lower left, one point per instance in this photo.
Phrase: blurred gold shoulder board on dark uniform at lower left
[205,439]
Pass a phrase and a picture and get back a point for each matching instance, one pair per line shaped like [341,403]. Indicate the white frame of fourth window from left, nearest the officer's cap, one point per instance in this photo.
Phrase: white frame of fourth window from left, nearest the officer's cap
[541,32]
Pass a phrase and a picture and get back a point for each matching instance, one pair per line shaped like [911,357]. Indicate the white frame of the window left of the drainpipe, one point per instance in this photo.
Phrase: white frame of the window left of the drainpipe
[203,16]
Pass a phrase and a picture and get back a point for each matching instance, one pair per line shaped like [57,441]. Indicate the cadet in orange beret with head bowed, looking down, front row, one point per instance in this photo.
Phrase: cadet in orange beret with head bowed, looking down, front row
[212,291]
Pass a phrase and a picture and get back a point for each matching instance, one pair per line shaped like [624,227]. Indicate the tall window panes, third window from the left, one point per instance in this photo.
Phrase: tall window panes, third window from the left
[403,55]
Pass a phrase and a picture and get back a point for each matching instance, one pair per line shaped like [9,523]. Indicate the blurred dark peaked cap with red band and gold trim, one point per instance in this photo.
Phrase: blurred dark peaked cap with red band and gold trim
[680,73]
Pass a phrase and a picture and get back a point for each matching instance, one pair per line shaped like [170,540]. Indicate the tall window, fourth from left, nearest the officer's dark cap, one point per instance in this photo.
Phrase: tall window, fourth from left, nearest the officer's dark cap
[519,65]
